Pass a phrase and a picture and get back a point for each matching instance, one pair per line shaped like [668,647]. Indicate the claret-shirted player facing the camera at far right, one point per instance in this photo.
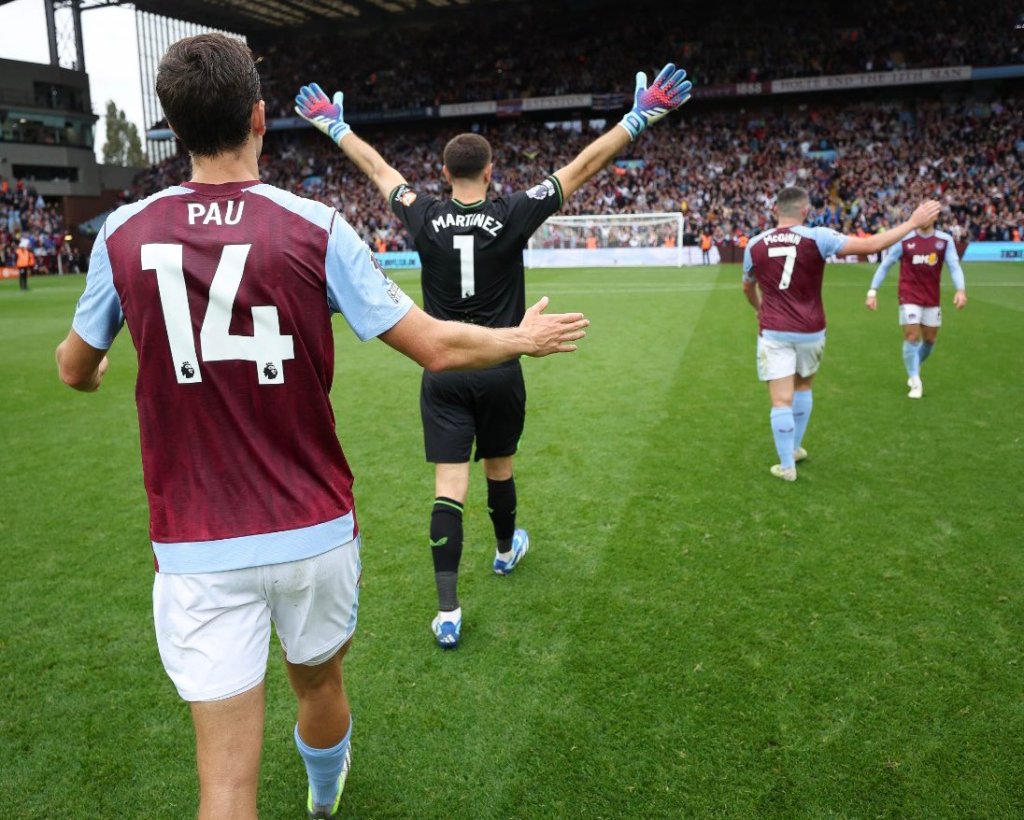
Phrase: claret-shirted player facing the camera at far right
[921,256]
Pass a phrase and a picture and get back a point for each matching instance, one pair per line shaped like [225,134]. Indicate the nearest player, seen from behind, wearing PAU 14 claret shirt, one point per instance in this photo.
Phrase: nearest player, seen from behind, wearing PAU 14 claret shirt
[228,287]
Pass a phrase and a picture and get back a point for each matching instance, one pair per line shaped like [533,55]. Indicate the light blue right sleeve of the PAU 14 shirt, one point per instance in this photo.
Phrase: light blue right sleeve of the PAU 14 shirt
[358,287]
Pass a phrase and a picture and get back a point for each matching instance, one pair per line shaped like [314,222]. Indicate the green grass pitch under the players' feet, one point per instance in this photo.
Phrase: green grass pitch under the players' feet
[689,637]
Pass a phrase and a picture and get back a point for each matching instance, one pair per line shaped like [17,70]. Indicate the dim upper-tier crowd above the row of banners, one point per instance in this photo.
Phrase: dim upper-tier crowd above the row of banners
[522,51]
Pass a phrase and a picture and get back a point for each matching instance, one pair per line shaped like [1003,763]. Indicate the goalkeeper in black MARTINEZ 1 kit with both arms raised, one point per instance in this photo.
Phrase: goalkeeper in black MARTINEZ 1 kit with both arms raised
[472,252]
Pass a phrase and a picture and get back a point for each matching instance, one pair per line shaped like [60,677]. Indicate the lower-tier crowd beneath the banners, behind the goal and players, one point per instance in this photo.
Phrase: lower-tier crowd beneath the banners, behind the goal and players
[864,164]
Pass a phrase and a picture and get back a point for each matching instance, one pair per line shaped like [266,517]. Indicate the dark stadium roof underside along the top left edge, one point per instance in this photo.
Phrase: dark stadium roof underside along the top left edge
[264,17]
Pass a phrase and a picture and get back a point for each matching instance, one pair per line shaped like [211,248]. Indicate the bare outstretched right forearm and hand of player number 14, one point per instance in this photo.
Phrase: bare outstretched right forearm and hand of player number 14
[441,346]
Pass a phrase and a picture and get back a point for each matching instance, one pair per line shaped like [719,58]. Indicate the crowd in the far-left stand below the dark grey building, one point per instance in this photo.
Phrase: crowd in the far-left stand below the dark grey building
[27,221]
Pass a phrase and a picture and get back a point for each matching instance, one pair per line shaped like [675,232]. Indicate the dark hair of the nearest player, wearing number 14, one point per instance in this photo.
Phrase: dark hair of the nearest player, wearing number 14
[208,85]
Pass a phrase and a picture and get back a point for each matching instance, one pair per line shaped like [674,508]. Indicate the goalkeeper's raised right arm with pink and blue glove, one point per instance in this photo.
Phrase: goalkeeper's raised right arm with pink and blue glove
[669,92]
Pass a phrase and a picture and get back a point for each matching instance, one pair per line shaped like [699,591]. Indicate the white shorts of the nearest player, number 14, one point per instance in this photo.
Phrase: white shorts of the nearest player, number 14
[214,629]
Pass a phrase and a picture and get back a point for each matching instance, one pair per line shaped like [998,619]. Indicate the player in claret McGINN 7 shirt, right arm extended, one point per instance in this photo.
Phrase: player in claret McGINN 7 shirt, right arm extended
[787,266]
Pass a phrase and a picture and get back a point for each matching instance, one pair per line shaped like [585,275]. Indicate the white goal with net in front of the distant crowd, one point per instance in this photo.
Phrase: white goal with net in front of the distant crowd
[608,240]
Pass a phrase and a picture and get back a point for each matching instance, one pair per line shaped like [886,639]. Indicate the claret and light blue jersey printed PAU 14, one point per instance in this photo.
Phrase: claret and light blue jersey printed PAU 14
[228,291]
